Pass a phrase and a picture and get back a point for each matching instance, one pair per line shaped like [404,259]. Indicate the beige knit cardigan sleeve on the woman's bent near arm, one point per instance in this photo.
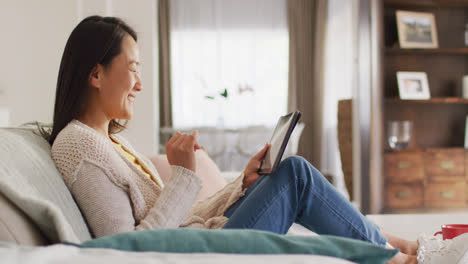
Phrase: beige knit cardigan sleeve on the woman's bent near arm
[107,206]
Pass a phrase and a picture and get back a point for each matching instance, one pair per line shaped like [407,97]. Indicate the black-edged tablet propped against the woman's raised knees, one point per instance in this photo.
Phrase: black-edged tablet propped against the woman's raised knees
[279,141]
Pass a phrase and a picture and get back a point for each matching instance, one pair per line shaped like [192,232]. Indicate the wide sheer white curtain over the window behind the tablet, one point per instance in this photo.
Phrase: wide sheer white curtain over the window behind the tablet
[237,45]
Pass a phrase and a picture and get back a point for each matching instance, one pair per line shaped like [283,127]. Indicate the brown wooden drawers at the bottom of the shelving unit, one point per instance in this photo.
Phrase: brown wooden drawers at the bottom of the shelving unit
[434,178]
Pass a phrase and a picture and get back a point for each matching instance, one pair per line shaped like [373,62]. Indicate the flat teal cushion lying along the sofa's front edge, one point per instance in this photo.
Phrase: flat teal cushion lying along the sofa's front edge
[242,242]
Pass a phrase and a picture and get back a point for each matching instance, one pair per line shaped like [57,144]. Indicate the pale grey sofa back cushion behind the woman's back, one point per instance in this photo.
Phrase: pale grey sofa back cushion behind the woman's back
[31,181]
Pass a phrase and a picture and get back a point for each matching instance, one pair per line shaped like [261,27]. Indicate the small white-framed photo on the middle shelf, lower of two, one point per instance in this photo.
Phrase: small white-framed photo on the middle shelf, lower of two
[413,85]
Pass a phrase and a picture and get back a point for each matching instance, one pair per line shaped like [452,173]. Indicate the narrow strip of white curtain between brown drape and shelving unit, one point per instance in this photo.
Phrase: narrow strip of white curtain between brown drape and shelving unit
[340,60]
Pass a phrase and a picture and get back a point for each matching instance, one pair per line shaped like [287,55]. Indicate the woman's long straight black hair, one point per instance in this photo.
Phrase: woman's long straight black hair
[95,40]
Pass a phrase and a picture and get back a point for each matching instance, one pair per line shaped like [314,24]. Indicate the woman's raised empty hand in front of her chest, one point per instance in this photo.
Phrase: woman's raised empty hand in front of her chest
[181,149]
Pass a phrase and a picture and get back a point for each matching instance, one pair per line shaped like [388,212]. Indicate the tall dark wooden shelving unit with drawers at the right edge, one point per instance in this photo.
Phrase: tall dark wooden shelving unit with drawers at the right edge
[433,171]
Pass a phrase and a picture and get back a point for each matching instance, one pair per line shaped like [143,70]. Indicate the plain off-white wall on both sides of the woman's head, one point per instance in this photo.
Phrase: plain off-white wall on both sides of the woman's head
[34,34]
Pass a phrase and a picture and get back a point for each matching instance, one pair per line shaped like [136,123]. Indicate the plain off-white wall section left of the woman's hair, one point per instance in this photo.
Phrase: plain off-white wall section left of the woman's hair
[34,34]
